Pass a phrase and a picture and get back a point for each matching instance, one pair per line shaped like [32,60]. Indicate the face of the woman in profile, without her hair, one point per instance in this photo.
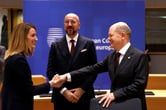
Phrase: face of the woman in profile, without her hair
[32,39]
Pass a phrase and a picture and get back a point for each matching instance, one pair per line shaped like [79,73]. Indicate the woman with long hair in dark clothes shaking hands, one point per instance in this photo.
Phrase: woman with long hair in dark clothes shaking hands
[18,89]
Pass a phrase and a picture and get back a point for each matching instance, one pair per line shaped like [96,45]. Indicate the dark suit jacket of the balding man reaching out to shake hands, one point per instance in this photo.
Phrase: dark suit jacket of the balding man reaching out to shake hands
[130,78]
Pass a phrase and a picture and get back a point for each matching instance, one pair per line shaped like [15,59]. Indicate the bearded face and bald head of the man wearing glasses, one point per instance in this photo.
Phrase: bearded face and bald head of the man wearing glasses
[71,24]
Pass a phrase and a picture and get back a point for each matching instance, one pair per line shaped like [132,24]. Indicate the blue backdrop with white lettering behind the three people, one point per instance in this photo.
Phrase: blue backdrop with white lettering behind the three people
[95,15]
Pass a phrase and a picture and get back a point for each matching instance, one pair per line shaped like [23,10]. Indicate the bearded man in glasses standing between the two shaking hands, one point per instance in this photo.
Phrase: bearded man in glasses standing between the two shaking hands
[63,58]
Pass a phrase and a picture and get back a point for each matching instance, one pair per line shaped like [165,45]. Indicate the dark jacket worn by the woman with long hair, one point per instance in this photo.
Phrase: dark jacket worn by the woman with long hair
[18,89]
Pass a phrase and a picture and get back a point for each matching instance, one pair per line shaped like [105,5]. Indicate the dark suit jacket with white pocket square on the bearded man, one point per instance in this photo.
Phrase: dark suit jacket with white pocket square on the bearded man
[60,62]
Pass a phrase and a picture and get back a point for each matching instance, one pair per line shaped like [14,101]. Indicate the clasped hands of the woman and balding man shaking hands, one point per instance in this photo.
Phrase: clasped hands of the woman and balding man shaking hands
[58,80]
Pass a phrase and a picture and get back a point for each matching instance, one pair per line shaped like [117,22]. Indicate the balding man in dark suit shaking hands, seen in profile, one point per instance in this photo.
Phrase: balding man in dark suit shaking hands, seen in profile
[129,80]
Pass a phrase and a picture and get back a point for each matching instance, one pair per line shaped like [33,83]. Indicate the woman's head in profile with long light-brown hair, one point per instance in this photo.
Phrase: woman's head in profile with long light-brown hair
[23,40]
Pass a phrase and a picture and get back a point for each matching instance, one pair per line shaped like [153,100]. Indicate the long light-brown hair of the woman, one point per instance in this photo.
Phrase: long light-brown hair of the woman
[18,40]
